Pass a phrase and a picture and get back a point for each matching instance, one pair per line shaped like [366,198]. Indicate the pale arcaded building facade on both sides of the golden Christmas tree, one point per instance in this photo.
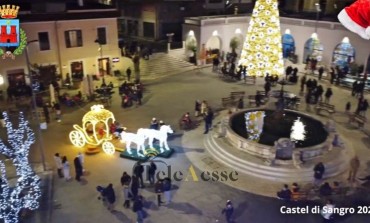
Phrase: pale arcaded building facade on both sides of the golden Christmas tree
[217,33]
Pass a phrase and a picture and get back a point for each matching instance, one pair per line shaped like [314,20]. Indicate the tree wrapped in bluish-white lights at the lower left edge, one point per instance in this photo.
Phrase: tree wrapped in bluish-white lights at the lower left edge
[25,193]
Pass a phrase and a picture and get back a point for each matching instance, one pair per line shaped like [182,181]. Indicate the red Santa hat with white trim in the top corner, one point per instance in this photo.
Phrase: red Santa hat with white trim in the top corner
[356,18]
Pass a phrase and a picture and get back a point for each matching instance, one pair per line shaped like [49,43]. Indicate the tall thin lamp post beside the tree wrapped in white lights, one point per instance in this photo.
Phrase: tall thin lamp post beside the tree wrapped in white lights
[41,142]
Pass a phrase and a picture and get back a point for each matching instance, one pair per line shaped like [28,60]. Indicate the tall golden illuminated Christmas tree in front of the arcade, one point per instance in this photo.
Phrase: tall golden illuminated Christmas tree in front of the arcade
[262,49]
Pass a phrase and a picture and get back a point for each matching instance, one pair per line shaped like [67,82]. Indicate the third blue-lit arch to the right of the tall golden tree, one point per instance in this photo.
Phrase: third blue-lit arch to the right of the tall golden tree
[344,54]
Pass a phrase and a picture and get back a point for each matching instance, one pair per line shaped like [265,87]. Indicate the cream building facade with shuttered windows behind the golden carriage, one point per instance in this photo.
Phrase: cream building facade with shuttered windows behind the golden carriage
[72,44]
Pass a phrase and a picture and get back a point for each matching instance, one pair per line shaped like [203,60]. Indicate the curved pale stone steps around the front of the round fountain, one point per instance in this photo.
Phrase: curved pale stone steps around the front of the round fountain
[245,163]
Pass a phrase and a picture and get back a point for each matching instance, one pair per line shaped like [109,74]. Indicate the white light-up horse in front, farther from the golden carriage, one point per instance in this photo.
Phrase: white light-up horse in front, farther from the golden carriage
[160,134]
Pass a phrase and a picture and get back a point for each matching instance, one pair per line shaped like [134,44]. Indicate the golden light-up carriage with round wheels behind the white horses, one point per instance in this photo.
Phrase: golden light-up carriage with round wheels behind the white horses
[95,129]
